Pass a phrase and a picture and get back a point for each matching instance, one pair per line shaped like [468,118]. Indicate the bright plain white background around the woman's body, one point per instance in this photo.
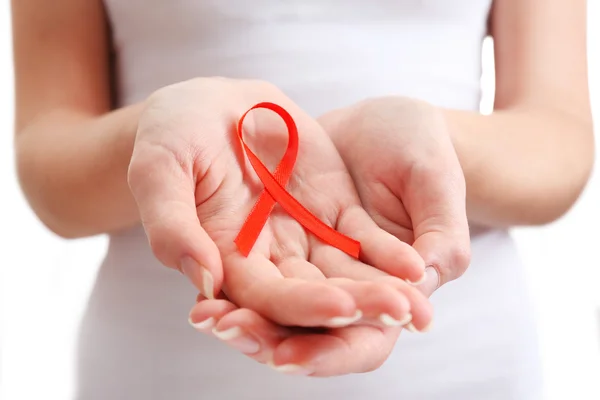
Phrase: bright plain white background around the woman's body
[44,281]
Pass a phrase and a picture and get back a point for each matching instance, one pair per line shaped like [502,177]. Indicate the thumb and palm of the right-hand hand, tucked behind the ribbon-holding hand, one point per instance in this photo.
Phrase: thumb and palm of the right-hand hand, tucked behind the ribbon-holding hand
[402,160]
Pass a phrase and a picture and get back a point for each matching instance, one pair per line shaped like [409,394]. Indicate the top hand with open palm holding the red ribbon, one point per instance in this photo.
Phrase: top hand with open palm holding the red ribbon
[194,191]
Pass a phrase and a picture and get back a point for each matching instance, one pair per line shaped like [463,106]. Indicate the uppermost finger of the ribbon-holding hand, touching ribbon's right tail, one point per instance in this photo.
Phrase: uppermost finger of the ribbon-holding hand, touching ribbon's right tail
[380,248]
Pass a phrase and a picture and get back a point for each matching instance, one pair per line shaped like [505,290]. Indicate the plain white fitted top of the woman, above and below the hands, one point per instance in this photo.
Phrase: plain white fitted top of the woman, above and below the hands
[135,341]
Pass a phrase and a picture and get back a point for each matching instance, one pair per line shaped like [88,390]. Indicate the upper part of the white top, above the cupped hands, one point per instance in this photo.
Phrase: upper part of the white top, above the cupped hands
[321,53]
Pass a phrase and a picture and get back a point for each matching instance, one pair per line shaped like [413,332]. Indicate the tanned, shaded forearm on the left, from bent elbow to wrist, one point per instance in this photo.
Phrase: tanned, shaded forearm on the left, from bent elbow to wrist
[73,171]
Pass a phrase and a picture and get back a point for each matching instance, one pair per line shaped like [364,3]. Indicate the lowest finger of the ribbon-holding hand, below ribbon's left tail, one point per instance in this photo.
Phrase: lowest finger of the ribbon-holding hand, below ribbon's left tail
[254,282]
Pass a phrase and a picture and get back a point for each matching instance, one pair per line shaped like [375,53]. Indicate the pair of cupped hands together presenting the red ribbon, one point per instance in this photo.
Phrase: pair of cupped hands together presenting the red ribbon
[383,172]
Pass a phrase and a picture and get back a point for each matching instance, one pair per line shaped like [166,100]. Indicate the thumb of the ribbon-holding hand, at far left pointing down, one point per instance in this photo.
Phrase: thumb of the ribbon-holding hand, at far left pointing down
[164,192]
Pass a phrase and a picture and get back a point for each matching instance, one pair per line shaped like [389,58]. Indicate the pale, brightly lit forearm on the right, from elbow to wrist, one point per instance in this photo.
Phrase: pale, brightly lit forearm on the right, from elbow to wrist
[521,168]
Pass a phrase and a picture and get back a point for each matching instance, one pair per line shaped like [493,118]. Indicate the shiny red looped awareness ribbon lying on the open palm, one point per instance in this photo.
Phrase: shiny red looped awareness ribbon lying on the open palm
[275,192]
